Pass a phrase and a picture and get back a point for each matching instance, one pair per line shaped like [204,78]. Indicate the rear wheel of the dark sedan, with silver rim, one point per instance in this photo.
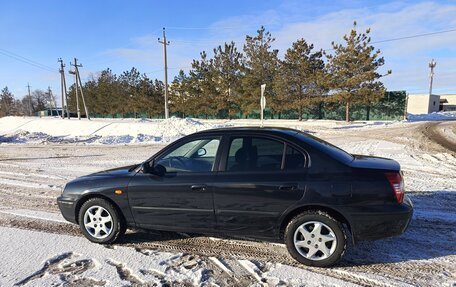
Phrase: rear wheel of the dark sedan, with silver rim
[314,238]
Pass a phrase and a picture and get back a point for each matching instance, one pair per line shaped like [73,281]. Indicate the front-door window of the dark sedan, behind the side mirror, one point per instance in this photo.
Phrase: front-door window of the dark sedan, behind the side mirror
[194,156]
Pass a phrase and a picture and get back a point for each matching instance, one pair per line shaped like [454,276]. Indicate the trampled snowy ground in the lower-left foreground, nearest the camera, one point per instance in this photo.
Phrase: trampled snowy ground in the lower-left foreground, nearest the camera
[75,261]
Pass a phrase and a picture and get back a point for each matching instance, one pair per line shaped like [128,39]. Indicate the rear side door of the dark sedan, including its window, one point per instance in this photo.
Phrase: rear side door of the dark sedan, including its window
[259,179]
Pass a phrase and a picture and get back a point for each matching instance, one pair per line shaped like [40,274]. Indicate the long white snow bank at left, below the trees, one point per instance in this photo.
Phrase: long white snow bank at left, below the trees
[98,131]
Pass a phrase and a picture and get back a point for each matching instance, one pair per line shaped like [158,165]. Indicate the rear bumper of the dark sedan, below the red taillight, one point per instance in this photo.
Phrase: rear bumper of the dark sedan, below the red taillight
[376,225]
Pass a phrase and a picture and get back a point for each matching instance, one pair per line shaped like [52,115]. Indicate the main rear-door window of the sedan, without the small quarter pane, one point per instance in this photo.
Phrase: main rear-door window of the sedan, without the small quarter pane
[254,154]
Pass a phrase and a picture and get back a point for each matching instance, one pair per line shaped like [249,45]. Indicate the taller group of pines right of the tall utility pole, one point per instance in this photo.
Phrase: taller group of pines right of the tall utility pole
[227,84]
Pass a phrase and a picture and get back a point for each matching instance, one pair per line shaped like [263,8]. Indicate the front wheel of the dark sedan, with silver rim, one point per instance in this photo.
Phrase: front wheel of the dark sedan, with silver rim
[100,221]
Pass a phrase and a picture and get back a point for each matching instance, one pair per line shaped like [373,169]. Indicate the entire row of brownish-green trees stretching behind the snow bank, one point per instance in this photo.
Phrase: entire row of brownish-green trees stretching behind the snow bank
[226,84]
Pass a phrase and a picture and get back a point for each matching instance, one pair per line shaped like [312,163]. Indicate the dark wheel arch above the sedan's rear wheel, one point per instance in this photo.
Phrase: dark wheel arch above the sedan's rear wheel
[298,210]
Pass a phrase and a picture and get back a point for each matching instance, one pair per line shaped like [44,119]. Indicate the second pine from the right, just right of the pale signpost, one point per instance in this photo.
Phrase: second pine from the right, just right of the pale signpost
[301,80]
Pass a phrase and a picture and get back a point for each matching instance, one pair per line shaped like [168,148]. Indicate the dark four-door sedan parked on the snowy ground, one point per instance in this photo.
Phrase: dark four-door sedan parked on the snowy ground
[266,183]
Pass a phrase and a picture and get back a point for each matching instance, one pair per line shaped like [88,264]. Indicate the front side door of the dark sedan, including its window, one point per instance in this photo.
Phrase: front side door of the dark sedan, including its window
[182,198]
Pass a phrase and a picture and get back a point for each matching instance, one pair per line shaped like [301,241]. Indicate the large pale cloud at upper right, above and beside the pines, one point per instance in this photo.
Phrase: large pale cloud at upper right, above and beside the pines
[407,58]
